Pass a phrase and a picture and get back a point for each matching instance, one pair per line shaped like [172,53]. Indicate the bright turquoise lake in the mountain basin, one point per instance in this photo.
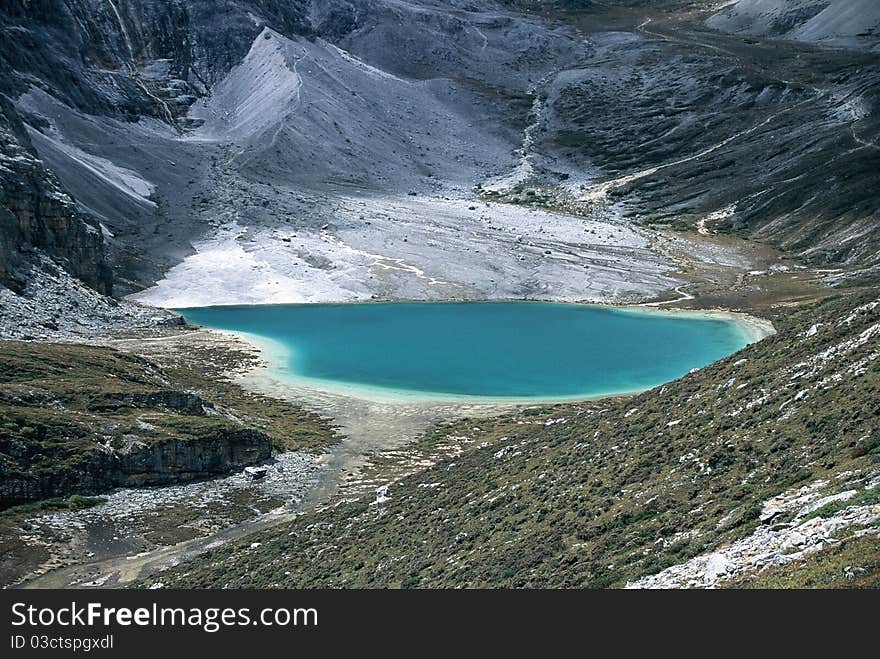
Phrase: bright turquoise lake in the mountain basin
[516,350]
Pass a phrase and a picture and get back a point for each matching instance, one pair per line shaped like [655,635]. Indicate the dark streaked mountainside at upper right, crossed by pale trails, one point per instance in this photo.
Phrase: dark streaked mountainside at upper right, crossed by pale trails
[689,127]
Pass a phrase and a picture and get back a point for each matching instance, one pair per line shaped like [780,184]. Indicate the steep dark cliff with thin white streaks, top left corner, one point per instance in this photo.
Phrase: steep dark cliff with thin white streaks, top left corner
[133,58]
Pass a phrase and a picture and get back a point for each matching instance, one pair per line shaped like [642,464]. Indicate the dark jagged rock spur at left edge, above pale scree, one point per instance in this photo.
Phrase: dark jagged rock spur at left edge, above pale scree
[35,214]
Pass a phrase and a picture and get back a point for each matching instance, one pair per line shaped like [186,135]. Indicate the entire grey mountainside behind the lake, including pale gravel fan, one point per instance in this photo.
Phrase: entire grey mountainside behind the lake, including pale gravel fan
[284,137]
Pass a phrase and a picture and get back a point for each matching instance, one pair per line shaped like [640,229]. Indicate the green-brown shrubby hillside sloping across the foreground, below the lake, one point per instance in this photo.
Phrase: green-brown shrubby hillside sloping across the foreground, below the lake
[598,494]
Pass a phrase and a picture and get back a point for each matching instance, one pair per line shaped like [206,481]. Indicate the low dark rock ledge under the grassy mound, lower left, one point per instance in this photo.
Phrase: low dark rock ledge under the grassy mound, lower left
[140,464]
